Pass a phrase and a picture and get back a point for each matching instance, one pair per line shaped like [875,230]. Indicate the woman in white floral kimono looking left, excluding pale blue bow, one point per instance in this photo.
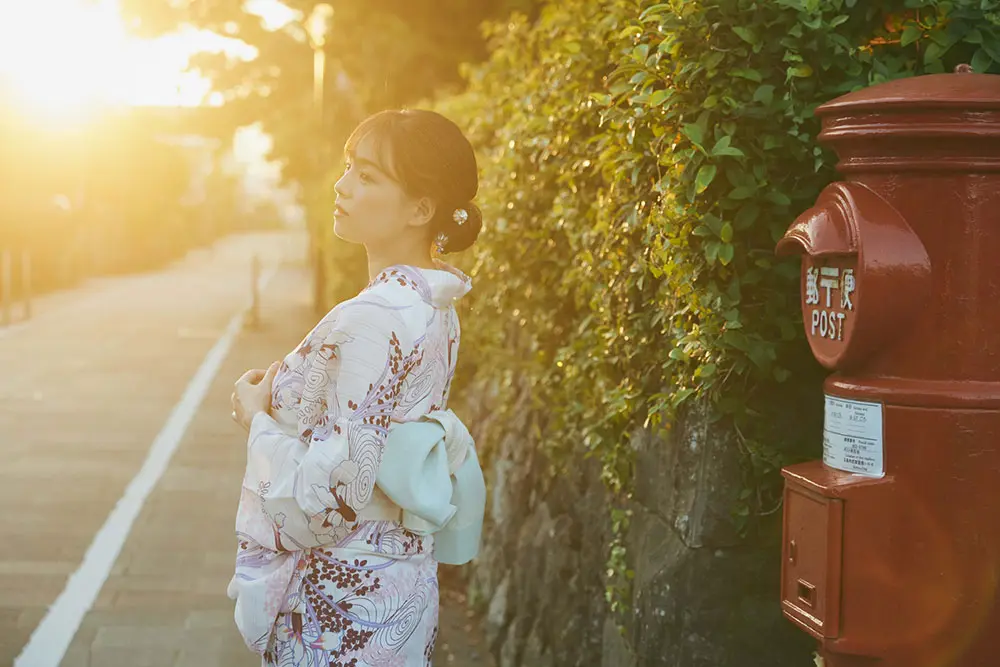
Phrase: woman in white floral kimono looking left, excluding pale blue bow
[325,575]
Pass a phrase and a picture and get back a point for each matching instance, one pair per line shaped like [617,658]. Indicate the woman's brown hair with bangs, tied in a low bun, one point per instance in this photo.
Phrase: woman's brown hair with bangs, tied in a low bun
[430,157]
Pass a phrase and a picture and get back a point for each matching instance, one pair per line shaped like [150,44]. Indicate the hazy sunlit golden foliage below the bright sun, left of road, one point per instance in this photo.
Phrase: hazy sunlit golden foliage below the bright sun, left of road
[124,190]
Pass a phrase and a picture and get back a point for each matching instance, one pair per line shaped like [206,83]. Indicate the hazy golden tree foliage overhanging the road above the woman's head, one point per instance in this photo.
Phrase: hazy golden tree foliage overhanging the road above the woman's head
[381,54]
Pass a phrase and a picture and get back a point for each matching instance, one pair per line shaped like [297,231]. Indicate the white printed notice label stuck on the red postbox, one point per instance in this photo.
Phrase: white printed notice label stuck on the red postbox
[852,436]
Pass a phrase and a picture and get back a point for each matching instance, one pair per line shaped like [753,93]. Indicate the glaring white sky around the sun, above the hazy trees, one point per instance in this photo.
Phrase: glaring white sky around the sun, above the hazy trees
[66,57]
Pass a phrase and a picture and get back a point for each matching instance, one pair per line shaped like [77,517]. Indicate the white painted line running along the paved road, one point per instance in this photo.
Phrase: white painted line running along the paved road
[52,637]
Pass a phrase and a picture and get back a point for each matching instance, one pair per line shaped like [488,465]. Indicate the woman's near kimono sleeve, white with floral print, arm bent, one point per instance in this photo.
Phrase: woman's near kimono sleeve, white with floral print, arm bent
[314,483]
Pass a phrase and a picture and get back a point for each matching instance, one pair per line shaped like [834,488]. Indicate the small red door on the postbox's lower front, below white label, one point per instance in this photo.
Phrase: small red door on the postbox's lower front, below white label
[811,560]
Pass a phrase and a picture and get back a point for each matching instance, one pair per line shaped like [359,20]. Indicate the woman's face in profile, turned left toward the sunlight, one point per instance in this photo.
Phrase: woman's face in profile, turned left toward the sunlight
[372,208]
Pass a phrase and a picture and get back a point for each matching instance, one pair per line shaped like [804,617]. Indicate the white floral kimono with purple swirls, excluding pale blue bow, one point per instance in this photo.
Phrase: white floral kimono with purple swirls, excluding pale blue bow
[325,572]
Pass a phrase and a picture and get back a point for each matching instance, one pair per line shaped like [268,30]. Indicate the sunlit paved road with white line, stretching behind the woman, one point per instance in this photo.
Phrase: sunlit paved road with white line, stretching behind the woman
[104,375]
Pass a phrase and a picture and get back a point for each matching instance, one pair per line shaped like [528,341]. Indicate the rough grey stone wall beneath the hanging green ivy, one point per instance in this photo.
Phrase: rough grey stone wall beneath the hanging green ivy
[701,596]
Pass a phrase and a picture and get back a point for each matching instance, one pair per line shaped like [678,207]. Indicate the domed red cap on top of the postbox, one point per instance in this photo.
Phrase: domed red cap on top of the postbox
[932,91]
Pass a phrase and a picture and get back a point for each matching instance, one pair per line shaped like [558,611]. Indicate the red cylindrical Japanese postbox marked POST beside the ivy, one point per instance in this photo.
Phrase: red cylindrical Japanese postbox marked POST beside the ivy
[891,553]
